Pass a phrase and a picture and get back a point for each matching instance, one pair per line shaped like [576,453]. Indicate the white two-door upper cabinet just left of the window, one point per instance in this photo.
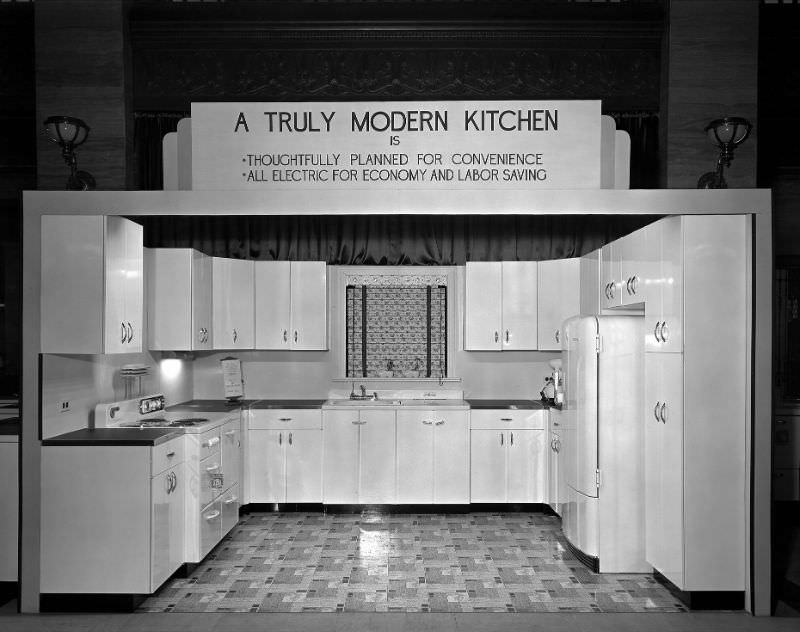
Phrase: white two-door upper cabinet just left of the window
[291,305]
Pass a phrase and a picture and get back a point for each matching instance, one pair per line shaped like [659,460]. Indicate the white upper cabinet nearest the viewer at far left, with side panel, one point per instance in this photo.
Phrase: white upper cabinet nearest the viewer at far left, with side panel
[92,284]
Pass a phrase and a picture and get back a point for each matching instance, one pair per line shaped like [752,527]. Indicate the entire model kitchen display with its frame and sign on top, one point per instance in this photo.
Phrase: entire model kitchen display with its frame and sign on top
[399,405]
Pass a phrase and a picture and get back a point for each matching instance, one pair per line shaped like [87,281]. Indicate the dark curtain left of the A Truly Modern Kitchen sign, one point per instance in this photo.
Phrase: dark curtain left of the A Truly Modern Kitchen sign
[149,129]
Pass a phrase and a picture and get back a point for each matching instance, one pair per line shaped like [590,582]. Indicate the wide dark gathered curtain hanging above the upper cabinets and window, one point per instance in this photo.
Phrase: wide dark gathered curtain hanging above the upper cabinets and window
[390,239]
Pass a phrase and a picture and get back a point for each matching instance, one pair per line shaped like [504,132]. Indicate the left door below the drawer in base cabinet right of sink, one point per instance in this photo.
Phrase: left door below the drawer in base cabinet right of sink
[488,466]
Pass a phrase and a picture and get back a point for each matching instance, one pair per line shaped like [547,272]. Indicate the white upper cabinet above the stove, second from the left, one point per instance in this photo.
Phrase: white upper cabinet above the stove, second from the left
[178,299]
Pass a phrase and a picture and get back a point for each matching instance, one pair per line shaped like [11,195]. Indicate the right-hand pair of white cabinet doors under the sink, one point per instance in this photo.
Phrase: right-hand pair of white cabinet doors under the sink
[432,457]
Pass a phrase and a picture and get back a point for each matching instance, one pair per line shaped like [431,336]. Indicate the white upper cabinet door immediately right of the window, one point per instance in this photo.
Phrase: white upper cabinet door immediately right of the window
[483,306]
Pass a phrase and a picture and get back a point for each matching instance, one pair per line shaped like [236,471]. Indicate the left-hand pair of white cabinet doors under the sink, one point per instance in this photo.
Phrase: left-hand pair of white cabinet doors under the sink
[358,456]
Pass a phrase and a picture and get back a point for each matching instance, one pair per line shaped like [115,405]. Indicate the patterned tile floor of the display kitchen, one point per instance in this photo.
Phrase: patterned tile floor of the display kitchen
[370,562]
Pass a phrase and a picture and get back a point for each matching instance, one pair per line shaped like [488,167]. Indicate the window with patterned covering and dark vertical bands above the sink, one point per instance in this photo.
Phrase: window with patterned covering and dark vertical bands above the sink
[396,330]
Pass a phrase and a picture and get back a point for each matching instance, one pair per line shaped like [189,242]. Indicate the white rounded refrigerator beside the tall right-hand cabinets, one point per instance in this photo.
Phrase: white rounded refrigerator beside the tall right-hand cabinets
[603,441]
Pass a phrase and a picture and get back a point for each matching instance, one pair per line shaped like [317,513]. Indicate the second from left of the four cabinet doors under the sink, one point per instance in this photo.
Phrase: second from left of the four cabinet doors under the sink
[377,480]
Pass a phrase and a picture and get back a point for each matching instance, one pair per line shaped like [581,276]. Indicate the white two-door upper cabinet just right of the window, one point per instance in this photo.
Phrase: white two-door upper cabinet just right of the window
[501,306]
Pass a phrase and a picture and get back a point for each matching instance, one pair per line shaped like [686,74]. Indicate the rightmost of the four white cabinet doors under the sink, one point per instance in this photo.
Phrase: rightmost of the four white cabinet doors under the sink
[451,458]
